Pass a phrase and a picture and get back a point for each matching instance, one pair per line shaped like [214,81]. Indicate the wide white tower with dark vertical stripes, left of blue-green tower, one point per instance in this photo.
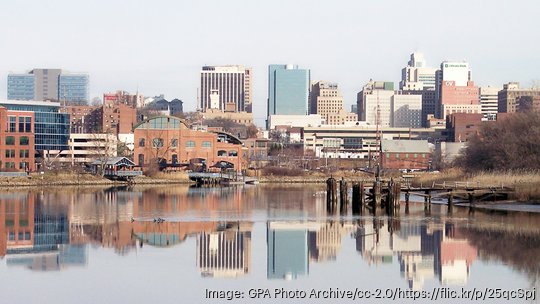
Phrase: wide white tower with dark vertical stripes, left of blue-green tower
[226,85]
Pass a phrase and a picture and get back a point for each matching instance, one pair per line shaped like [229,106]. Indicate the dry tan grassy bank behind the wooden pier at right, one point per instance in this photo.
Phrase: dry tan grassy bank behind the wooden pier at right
[526,183]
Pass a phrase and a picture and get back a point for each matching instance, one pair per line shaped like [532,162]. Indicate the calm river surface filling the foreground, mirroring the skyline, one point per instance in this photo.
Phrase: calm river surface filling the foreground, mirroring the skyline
[109,246]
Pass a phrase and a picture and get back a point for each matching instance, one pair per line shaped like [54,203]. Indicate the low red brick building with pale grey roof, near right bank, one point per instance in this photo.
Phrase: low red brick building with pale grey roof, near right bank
[405,154]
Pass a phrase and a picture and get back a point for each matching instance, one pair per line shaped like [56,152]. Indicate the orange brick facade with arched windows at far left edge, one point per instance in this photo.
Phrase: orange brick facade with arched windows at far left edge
[17,143]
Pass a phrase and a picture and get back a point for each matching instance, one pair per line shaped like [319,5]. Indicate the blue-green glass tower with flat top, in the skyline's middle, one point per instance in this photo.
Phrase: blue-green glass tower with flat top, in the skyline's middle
[288,90]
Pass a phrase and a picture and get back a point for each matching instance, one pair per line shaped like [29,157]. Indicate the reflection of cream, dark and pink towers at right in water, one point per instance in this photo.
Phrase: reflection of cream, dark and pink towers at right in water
[424,251]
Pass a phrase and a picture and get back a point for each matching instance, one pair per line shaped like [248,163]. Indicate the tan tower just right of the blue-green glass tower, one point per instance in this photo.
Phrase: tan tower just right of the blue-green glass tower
[326,100]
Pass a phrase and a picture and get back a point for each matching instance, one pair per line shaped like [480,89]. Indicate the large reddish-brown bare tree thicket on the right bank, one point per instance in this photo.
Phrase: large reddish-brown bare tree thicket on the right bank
[510,143]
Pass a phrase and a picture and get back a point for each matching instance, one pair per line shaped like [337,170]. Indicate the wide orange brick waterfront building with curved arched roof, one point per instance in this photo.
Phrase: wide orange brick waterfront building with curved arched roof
[169,141]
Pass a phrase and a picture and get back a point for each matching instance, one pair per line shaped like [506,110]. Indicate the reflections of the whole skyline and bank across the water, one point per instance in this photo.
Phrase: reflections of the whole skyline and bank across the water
[55,230]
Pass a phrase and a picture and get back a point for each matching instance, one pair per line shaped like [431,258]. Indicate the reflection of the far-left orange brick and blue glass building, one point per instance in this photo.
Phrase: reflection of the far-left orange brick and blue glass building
[37,234]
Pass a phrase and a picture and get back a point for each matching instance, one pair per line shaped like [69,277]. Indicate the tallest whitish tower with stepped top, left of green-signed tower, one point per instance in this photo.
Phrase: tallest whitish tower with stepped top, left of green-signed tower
[419,79]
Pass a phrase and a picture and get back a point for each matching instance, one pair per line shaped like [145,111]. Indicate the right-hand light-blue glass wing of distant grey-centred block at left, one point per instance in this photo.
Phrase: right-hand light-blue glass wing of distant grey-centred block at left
[73,88]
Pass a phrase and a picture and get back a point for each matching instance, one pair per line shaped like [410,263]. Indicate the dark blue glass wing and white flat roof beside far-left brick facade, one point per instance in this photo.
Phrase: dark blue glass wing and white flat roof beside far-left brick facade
[51,128]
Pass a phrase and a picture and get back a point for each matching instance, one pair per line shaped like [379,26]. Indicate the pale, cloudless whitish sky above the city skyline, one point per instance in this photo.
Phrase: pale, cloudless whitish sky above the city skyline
[159,46]
